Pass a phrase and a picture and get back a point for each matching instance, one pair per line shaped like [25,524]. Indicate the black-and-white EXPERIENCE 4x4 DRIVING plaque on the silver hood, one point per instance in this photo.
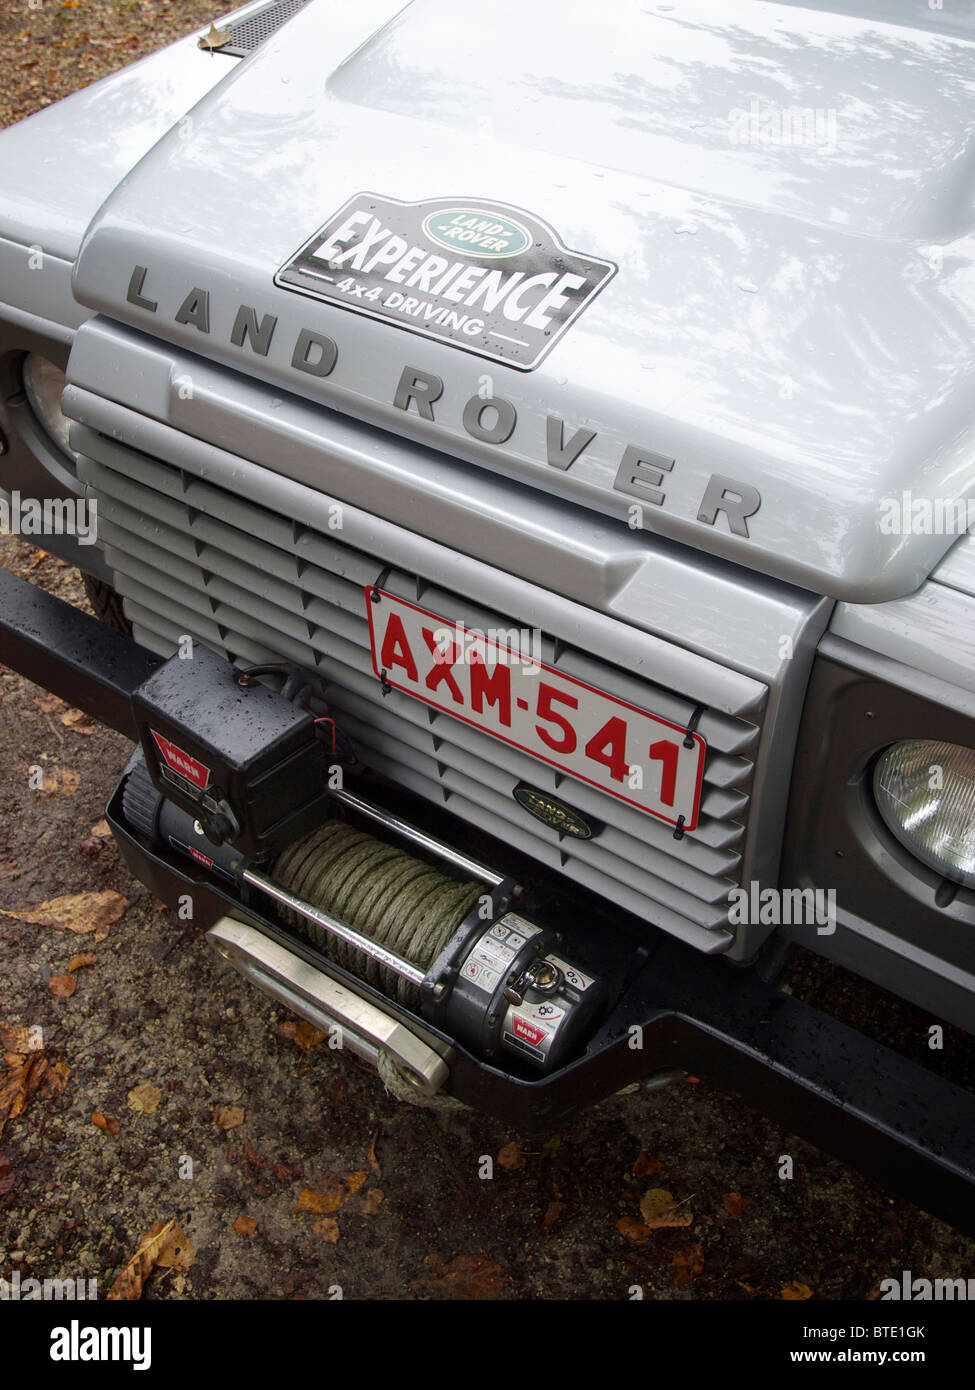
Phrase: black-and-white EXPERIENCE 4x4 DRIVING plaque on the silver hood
[490,279]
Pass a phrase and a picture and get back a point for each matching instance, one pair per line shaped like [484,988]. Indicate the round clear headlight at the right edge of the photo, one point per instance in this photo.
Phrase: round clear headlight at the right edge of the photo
[926,793]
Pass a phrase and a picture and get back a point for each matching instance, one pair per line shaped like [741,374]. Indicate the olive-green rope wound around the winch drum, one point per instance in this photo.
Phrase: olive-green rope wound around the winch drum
[401,903]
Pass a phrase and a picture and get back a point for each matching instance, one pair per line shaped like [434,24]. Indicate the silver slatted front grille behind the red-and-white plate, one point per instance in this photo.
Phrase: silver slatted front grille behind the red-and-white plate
[195,558]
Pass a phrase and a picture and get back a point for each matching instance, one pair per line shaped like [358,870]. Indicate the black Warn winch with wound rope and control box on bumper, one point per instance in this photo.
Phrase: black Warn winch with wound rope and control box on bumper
[453,951]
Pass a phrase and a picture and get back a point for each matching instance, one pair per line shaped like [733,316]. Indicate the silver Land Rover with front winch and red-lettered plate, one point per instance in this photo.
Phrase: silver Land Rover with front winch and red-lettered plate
[528,458]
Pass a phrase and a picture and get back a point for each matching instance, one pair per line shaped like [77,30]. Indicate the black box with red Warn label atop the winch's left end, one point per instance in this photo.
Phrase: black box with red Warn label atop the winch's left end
[244,760]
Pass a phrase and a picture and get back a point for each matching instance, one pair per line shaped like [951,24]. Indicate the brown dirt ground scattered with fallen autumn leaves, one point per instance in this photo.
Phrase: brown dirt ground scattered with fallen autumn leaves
[168,1090]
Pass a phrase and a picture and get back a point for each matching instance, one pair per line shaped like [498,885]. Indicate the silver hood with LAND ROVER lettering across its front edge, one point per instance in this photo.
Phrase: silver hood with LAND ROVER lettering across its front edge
[782,199]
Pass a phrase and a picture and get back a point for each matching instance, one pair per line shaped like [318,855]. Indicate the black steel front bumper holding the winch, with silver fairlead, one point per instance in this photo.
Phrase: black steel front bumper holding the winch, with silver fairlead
[903,1127]
